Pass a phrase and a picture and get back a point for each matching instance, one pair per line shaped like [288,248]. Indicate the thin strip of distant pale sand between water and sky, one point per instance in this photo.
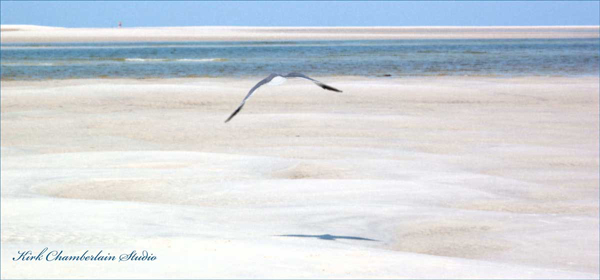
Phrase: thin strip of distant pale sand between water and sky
[44,34]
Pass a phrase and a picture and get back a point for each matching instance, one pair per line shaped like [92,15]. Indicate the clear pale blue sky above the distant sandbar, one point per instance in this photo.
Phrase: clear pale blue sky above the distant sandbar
[298,13]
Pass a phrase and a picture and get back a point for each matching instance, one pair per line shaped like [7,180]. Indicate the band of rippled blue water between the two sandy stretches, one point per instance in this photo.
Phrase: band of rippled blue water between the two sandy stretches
[515,57]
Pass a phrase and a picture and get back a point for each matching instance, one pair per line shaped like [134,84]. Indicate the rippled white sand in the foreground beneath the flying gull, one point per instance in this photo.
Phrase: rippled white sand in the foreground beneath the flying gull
[432,177]
